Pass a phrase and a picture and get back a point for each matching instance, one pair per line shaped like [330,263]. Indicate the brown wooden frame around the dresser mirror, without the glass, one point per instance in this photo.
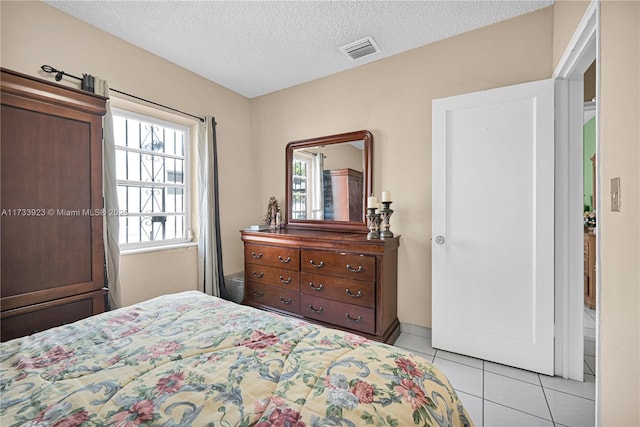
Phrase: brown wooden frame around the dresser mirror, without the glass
[359,226]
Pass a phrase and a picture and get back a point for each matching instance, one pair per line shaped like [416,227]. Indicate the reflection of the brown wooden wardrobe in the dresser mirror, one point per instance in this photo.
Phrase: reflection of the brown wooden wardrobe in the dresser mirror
[343,199]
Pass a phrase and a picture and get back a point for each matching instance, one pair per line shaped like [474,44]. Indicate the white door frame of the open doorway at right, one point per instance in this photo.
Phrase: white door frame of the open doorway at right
[582,50]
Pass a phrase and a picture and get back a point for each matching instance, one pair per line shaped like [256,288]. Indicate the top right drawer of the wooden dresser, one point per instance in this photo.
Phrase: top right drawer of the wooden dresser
[350,266]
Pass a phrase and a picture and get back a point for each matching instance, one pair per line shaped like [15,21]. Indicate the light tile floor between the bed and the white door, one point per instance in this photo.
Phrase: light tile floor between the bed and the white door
[498,395]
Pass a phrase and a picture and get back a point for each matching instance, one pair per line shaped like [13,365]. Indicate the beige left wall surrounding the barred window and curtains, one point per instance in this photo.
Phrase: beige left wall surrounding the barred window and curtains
[34,34]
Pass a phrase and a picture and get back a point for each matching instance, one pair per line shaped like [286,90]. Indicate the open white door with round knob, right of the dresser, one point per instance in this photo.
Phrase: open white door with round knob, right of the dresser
[493,229]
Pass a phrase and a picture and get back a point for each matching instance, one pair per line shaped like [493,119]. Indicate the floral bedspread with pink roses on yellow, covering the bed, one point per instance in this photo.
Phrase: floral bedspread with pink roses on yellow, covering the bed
[189,359]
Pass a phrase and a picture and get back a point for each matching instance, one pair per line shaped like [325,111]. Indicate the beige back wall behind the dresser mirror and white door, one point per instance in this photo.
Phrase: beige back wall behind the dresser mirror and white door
[392,99]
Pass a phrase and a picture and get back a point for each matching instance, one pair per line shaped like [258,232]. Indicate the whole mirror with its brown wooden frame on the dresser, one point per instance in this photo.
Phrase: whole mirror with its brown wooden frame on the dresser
[328,180]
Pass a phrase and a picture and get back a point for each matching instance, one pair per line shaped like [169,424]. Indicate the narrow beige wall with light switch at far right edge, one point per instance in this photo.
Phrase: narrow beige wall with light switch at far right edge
[620,231]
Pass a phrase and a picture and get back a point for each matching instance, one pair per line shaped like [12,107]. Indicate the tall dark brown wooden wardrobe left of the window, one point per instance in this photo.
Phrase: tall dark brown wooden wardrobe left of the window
[52,254]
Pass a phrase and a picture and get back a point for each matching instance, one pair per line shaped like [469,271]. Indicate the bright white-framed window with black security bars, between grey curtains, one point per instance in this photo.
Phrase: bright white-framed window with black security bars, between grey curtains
[152,177]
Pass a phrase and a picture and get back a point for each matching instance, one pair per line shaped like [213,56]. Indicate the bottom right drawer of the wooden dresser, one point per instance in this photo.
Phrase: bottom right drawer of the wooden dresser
[349,316]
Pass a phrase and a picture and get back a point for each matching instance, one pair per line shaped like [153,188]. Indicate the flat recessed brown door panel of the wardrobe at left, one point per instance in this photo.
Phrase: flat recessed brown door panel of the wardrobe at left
[45,169]
